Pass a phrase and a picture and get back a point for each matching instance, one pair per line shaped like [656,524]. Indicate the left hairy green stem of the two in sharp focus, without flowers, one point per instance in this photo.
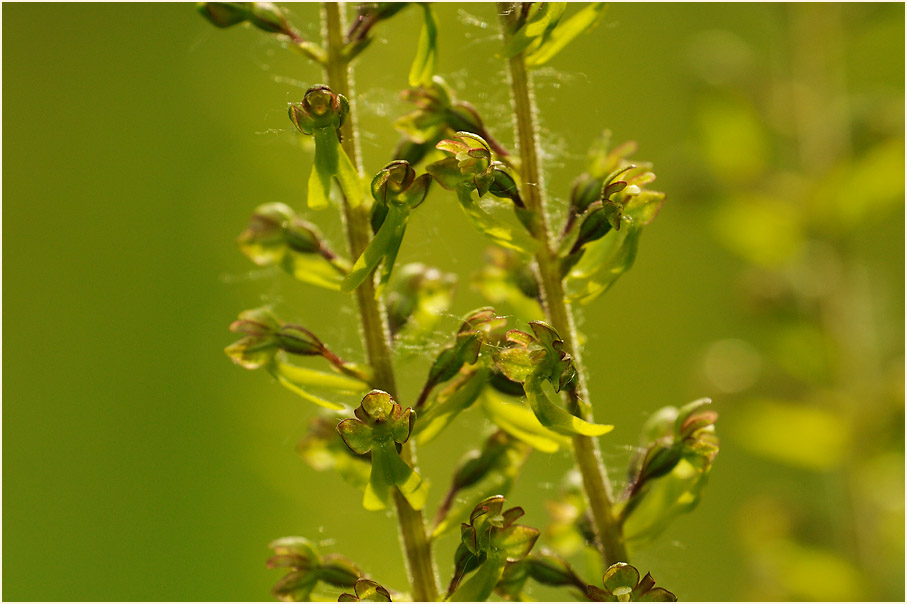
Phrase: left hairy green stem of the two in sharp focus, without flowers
[375,335]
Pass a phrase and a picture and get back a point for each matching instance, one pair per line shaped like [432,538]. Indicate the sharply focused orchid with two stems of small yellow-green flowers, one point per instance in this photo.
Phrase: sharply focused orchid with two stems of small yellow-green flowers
[521,368]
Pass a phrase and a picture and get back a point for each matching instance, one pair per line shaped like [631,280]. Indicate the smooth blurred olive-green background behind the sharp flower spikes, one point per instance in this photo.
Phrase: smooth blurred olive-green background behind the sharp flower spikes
[139,464]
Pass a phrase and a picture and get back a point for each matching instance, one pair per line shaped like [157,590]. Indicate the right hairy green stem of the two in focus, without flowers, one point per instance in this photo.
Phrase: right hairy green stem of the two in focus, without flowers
[585,448]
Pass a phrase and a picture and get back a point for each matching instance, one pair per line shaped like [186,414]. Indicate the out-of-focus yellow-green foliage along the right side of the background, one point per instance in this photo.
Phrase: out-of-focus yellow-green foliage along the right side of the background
[801,169]
